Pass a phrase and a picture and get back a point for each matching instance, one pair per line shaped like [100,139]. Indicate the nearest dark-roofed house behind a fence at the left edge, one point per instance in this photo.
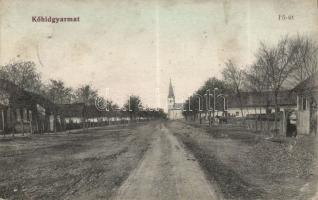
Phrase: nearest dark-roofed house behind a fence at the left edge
[22,111]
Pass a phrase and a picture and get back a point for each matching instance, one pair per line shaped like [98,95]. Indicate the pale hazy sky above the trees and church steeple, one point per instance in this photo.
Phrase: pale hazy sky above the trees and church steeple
[134,47]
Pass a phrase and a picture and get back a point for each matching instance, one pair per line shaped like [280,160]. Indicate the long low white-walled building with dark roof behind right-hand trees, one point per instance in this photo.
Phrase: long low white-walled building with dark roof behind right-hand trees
[255,103]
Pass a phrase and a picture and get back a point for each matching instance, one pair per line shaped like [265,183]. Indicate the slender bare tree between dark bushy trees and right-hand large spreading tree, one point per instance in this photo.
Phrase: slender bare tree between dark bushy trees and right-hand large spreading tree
[234,76]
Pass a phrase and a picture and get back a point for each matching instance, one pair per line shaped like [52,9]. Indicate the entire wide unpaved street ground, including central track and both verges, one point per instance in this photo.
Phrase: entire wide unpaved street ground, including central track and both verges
[156,160]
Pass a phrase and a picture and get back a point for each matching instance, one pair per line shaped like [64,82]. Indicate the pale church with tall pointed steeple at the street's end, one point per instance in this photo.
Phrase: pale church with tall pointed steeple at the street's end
[174,109]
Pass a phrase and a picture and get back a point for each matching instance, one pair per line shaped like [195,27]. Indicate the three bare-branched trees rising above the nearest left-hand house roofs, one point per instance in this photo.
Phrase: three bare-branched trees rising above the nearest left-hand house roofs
[24,75]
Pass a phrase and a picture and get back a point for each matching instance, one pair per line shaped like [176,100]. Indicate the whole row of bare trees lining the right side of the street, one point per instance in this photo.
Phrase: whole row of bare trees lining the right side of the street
[276,67]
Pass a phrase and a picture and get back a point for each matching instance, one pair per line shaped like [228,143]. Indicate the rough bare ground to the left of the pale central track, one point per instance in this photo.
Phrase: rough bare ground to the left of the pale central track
[86,165]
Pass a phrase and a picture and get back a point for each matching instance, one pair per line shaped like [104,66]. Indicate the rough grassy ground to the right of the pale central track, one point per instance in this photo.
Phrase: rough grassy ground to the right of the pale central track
[245,166]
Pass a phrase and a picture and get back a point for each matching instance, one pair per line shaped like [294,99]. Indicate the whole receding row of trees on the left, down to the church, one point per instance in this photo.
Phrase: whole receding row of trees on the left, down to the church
[25,76]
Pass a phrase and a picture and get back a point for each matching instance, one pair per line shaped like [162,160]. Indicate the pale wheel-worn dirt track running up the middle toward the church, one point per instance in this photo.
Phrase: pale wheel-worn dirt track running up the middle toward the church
[167,171]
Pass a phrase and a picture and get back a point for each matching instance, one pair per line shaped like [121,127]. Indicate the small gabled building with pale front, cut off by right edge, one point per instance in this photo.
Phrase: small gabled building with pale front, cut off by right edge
[307,99]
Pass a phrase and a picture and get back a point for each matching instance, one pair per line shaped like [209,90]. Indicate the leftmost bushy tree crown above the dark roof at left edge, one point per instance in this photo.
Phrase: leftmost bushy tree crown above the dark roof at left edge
[23,74]
